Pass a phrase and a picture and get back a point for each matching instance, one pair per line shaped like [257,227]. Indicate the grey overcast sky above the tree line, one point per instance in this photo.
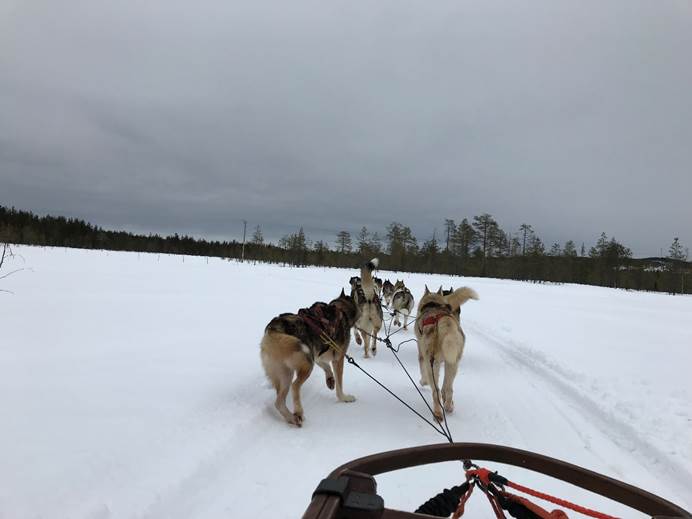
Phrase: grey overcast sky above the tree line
[180,116]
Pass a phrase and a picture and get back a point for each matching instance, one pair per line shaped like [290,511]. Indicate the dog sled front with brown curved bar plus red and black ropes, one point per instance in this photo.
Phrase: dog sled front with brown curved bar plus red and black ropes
[350,491]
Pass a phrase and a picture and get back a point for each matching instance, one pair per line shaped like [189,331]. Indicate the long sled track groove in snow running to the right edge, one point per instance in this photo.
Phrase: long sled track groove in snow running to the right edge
[621,434]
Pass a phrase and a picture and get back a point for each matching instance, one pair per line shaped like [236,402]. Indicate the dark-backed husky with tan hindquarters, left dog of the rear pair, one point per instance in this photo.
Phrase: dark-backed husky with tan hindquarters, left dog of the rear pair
[293,343]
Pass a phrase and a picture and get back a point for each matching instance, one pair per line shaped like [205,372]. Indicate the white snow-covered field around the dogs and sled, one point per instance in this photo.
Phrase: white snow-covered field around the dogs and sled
[131,387]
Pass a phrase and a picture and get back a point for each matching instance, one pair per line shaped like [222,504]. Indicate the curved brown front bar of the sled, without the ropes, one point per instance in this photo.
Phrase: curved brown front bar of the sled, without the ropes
[350,491]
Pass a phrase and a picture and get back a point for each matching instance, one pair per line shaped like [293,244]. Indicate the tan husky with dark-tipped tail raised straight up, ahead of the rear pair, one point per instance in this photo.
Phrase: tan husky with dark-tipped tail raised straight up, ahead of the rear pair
[369,308]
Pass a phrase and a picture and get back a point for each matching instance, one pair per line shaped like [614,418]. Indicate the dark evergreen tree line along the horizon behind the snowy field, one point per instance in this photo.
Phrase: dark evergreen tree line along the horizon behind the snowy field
[471,247]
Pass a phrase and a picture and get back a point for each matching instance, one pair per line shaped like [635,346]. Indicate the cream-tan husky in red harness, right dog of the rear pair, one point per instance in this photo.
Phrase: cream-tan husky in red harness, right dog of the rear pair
[441,340]
